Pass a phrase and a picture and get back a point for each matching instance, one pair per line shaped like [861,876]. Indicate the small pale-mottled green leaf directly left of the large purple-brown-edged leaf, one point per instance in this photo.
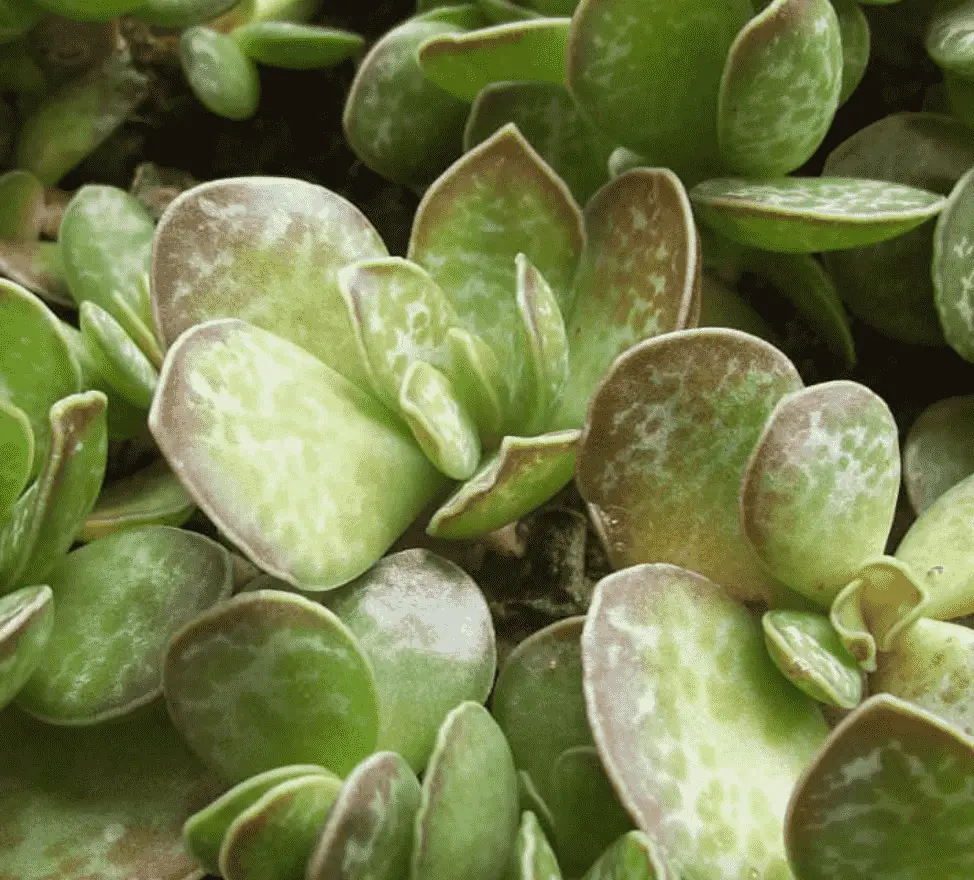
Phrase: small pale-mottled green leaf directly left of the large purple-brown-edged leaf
[106,246]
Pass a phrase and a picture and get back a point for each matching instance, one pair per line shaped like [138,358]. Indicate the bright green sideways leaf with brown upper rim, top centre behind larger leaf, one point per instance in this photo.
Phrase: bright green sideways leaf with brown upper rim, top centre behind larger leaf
[519,51]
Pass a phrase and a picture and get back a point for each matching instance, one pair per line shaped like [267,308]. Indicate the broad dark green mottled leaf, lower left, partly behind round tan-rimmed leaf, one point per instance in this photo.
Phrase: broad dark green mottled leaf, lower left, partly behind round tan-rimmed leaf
[119,602]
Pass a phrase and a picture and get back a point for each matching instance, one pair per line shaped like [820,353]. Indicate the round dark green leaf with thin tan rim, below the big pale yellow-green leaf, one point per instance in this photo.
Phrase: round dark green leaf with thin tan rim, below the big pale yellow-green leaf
[268,679]
